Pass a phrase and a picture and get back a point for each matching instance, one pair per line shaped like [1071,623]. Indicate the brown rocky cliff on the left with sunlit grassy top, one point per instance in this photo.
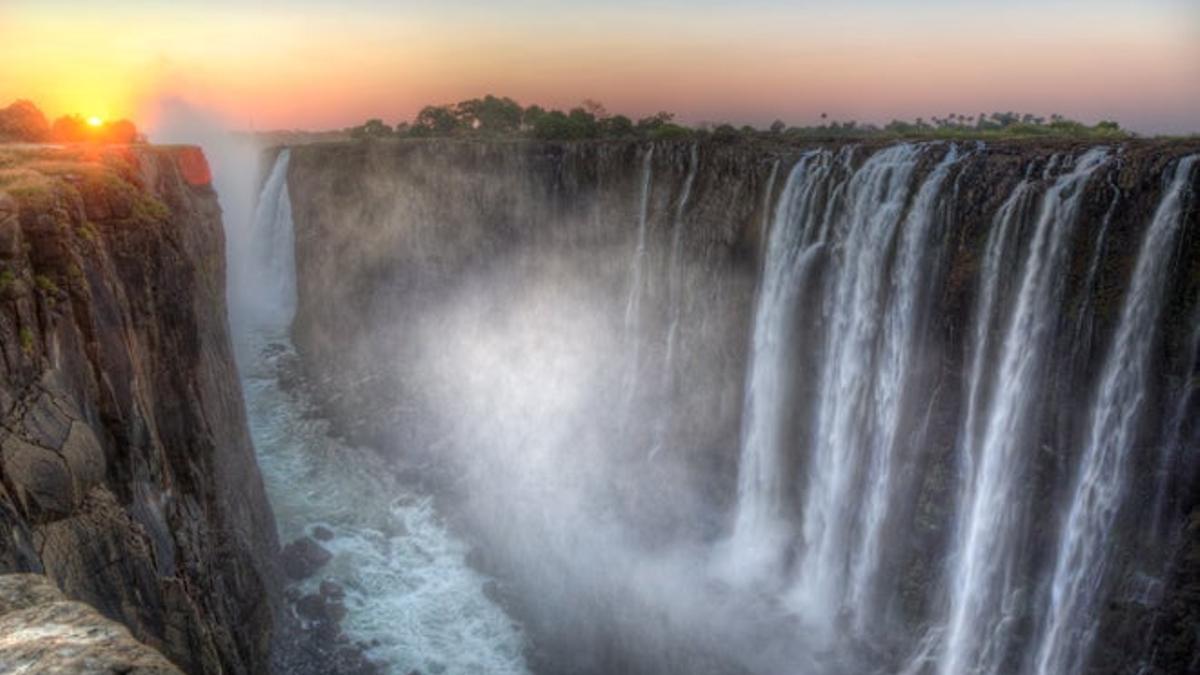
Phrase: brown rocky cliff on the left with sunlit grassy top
[129,477]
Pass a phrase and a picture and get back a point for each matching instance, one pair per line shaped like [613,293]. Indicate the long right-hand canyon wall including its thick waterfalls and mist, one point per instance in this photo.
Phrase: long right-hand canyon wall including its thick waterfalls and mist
[440,279]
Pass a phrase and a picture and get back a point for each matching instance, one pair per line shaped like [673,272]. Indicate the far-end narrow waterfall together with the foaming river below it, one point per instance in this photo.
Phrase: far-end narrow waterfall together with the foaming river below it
[410,592]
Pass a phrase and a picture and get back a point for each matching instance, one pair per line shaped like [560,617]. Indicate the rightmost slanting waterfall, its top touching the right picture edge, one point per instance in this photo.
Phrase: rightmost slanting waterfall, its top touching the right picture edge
[1083,548]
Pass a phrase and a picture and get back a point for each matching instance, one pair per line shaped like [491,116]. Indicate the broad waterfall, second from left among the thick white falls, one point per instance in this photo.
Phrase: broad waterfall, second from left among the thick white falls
[877,198]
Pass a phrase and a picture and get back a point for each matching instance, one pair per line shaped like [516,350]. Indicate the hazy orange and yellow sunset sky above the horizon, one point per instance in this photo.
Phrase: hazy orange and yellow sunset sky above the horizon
[329,64]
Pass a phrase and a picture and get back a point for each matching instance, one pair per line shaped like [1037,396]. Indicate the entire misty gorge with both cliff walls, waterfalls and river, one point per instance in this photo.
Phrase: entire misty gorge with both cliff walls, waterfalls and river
[625,407]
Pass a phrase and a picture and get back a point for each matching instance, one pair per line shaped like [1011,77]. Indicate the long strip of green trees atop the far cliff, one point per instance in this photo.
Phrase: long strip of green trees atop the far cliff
[494,117]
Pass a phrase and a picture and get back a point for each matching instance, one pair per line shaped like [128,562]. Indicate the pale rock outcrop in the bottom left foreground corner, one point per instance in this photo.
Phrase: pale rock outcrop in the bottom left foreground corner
[41,631]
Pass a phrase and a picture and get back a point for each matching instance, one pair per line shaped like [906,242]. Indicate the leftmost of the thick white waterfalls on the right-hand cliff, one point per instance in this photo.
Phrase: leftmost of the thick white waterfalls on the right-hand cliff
[759,535]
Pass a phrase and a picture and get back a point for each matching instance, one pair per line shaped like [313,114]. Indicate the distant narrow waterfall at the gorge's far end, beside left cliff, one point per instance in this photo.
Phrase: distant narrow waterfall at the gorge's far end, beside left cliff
[269,288]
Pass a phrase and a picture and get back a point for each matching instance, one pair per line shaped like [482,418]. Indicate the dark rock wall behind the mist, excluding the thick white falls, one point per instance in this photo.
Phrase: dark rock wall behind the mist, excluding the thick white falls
[647,261]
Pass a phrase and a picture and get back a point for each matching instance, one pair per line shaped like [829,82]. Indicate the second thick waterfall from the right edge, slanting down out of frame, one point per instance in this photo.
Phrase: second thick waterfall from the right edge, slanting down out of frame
[985,586]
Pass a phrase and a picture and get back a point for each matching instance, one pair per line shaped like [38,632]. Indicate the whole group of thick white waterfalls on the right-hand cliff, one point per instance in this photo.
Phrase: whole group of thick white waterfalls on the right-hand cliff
[875,241]
